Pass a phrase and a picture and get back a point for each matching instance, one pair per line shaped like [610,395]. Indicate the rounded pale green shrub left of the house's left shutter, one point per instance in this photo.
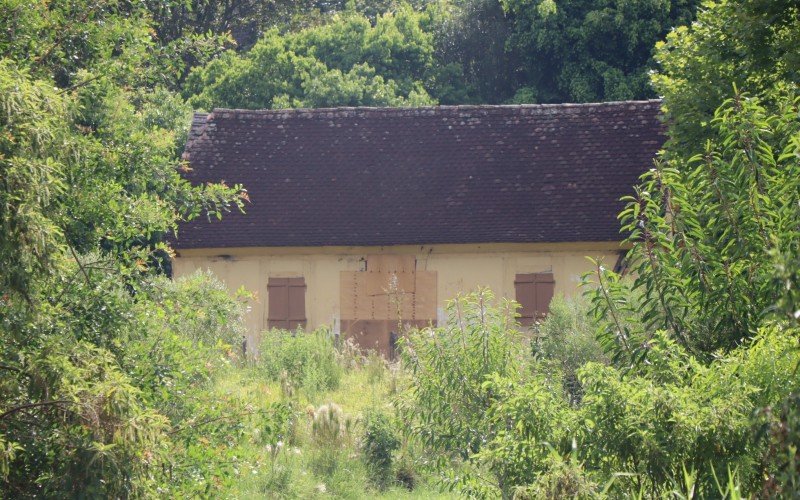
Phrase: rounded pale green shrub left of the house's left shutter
[188,330]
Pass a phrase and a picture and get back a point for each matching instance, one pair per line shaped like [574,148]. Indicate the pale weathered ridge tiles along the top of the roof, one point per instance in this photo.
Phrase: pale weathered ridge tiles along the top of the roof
[421,110]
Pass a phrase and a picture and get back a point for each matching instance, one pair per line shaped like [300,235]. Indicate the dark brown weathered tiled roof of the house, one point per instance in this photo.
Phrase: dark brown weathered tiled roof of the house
[450,174]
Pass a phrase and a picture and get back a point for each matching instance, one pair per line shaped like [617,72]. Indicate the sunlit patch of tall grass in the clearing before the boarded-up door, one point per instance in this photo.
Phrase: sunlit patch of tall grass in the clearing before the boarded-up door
[330,445]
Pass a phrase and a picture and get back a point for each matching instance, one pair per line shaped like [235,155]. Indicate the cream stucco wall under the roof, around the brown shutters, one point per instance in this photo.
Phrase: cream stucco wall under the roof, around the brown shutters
[460,268]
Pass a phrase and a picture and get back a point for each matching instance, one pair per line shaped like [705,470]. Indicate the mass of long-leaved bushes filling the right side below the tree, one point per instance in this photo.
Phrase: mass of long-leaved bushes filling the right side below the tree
[701,341]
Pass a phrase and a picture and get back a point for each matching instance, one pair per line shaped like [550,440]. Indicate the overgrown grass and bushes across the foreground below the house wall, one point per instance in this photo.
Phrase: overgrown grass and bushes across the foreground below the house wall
[480,408]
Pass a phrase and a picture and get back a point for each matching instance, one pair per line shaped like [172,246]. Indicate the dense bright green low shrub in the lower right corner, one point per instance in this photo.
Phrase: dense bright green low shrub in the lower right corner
[696,416]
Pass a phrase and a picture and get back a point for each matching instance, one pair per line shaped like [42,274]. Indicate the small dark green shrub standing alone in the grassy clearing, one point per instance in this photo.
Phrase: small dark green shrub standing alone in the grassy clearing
[378,444]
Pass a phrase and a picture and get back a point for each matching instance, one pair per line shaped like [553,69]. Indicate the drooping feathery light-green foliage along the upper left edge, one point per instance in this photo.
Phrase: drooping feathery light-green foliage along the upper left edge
[31,116]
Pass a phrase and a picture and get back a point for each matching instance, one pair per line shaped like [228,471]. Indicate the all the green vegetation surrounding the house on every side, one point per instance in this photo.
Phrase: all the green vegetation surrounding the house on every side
[679,381]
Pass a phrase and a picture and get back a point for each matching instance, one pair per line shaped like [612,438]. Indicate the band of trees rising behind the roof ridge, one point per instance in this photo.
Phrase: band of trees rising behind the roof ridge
[448,52]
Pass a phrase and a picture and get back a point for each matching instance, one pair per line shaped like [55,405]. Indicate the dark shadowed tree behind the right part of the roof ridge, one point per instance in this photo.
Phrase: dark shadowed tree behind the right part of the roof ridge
[590,50]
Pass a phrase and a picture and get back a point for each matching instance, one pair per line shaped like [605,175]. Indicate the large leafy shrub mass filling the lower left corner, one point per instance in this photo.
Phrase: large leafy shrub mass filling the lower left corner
[124,376]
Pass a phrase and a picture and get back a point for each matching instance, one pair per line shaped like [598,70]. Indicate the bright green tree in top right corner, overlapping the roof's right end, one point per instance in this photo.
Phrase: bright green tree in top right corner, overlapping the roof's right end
[747,45]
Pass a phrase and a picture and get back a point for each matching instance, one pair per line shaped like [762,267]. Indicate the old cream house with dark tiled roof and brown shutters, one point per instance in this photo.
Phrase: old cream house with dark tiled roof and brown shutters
[361,217]
